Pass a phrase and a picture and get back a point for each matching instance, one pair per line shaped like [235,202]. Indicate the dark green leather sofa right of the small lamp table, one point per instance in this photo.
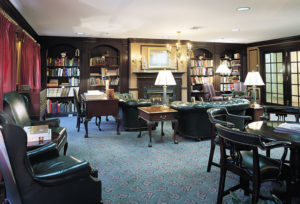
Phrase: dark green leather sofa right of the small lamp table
[193,118]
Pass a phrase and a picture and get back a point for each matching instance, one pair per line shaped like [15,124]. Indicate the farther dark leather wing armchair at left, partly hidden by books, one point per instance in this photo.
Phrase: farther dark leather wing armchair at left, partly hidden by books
[15,107]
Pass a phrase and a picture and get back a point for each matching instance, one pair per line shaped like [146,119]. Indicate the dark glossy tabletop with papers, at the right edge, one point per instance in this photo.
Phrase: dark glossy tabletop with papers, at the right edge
[266,130]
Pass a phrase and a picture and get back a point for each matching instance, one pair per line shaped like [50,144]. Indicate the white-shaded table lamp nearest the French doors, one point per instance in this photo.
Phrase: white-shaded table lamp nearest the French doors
[254,79]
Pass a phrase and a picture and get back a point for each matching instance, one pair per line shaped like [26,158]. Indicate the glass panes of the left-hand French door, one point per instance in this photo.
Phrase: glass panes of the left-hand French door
[274,78]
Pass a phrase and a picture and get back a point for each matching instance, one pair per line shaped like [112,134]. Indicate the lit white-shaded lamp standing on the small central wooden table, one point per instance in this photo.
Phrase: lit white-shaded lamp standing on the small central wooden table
[165,78]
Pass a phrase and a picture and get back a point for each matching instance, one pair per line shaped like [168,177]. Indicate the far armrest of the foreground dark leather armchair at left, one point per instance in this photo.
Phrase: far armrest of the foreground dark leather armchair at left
[43,153]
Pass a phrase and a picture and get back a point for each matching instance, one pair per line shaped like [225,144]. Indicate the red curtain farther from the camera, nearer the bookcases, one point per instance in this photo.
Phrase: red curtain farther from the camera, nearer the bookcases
[30,63]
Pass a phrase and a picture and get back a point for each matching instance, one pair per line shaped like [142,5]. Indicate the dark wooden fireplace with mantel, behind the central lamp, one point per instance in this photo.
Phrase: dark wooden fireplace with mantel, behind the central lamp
[147,89]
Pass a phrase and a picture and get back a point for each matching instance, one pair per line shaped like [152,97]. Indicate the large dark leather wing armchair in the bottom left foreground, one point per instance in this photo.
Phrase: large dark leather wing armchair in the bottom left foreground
[60,180]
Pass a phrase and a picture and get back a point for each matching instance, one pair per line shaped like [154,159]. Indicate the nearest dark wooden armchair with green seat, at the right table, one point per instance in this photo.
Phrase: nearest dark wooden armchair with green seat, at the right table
[245,162]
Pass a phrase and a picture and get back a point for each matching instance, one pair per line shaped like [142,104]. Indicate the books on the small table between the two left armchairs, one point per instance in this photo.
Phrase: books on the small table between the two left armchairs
[34,133]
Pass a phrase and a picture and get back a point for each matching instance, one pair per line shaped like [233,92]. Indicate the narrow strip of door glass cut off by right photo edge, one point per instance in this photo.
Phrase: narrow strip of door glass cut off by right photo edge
[295,77]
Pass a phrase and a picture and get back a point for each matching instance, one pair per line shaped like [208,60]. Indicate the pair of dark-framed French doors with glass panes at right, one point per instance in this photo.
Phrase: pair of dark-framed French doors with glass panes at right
[282,77]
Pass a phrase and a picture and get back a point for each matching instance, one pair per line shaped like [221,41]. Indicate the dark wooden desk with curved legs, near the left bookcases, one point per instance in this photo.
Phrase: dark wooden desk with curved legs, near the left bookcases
[98,108]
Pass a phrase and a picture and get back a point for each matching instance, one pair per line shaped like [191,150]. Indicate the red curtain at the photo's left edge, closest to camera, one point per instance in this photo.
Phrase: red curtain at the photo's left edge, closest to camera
[8,57]
